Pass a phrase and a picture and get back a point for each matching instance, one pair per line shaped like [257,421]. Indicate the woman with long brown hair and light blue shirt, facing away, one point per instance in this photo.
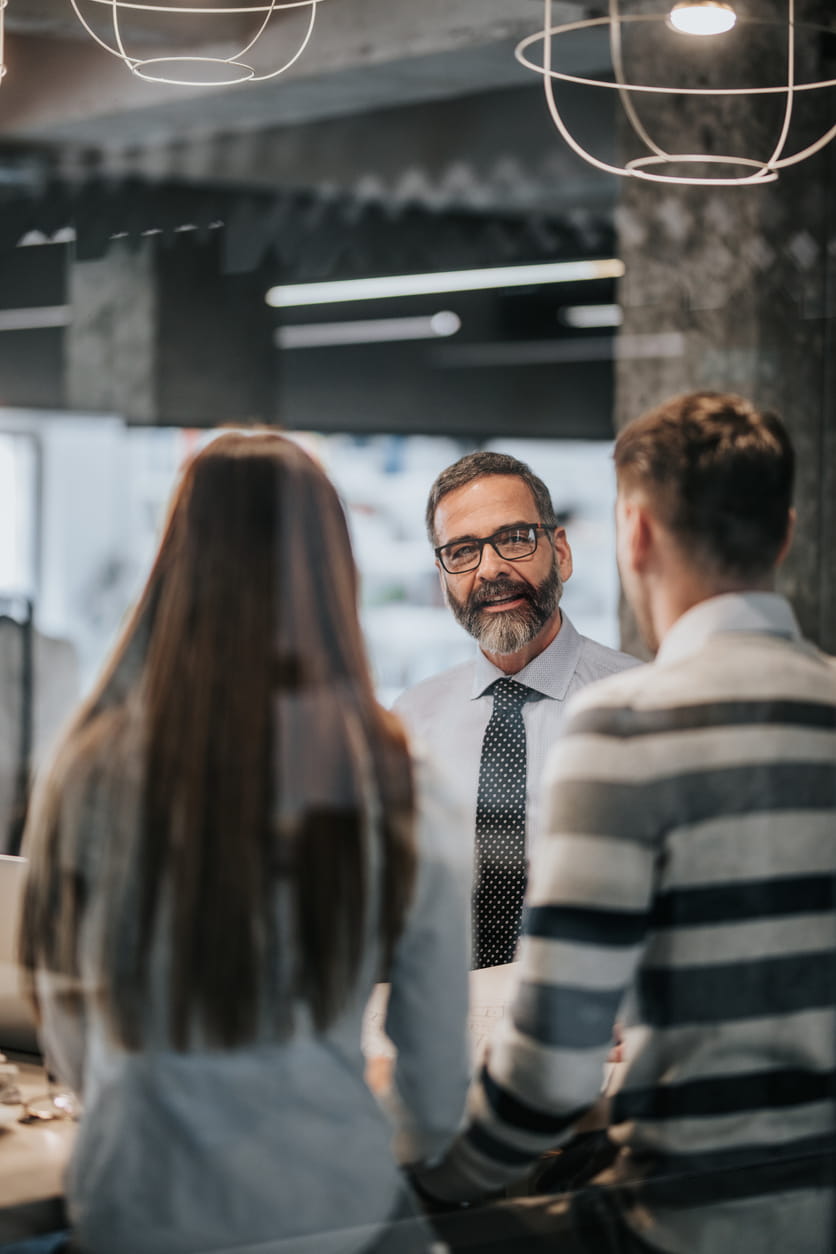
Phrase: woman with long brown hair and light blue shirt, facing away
[231,847]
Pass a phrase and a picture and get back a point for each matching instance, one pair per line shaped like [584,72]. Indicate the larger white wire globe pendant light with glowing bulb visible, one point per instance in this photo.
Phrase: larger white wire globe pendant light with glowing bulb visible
[657,164]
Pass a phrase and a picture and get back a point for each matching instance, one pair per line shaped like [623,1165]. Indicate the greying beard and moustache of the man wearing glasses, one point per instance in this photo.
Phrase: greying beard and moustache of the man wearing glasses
[511,630]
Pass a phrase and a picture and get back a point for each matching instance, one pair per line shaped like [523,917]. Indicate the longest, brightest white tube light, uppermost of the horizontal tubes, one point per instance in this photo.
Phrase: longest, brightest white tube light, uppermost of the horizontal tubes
[388,287]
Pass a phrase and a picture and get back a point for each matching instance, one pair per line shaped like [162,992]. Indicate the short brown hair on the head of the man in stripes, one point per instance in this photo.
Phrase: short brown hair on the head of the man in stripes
[719,476]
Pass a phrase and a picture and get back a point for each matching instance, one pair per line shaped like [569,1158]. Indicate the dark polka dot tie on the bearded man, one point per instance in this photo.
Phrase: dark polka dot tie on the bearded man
[501,870]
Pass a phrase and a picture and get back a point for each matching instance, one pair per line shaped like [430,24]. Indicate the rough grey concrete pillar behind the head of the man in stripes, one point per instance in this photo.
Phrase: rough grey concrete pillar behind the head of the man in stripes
[743,280]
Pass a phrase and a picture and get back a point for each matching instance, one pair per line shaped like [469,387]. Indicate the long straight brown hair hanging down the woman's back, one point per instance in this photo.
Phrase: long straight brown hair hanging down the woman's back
[238,713]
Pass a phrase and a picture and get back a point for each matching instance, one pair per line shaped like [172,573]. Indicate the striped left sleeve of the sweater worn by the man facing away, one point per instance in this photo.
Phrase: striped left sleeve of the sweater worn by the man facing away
[587,915]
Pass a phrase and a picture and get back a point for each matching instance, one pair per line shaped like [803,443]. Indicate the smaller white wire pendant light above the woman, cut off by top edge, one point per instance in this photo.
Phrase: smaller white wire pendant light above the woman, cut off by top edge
[196,70]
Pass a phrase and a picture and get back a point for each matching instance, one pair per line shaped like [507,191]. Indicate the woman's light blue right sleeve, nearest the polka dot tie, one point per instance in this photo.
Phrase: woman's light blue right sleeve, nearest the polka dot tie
[428,1006]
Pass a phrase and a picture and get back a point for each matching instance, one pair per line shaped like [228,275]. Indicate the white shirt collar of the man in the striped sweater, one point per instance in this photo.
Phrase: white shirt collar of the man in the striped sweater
[764,613]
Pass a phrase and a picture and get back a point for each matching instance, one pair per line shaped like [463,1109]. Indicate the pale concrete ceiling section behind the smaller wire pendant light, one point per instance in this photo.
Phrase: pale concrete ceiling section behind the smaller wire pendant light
[365,55]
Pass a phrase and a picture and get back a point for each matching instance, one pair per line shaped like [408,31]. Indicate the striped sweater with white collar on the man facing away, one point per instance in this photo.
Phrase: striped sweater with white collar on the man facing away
[685,885]
